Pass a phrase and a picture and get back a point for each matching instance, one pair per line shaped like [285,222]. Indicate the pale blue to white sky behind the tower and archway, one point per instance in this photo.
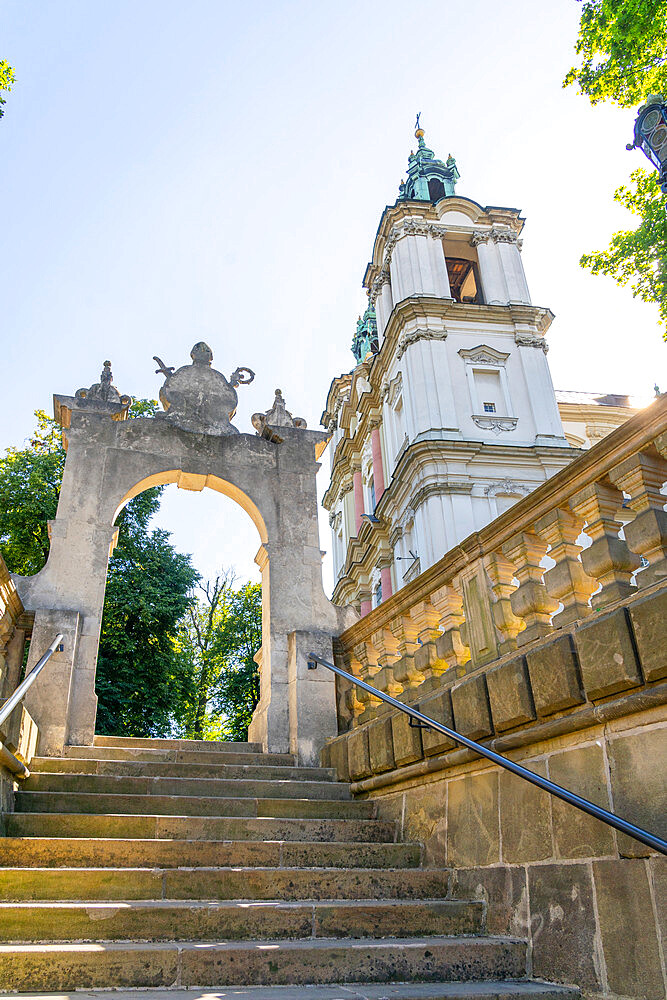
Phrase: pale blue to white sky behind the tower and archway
[175,172]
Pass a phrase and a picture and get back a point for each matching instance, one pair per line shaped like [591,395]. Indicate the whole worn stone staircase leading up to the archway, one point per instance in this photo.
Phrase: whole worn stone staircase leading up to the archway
[173,863]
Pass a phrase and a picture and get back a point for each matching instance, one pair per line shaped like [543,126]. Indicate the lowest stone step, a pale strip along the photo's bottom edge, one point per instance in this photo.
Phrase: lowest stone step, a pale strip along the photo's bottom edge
[486,990]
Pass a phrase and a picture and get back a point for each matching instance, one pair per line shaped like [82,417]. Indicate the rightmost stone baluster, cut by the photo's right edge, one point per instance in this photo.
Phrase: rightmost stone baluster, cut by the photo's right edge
[642,476]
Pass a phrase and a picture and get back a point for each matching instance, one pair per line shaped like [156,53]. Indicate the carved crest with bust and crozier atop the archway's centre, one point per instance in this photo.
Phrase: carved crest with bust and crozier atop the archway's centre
[199,399]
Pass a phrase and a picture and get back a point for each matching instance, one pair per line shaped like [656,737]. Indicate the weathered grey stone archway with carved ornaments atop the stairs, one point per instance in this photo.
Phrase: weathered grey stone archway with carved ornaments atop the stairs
[271,474]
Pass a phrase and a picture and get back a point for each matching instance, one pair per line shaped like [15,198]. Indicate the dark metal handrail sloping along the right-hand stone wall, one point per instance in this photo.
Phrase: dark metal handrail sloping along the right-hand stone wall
[643,836]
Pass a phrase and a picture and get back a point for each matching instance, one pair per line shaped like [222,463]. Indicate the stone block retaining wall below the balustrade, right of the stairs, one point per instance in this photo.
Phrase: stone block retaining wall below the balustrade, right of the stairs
[587,709]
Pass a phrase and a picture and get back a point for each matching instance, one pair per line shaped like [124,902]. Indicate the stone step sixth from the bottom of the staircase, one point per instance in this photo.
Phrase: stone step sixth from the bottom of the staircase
[196,827]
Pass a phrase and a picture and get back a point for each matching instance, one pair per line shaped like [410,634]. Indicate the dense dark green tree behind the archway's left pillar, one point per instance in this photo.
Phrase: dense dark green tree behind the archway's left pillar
[142,683]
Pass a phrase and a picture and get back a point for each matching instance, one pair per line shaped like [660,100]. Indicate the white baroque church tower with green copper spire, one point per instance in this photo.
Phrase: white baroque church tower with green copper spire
[450,414]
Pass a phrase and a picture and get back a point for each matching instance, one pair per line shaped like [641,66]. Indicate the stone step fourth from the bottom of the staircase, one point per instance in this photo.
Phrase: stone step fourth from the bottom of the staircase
[234,883]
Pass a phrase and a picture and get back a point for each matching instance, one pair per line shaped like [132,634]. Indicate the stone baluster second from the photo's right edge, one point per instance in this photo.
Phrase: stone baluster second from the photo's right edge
[608,560]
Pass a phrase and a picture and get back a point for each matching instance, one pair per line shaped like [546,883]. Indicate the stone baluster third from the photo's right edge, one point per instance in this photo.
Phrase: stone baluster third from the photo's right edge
[567,581]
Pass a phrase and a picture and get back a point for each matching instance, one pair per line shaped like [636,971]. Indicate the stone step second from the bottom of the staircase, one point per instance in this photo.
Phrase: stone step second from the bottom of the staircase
[205,963]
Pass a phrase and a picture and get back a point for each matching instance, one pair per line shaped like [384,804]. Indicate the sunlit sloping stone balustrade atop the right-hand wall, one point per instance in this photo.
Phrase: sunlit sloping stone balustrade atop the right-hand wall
[492,594]
